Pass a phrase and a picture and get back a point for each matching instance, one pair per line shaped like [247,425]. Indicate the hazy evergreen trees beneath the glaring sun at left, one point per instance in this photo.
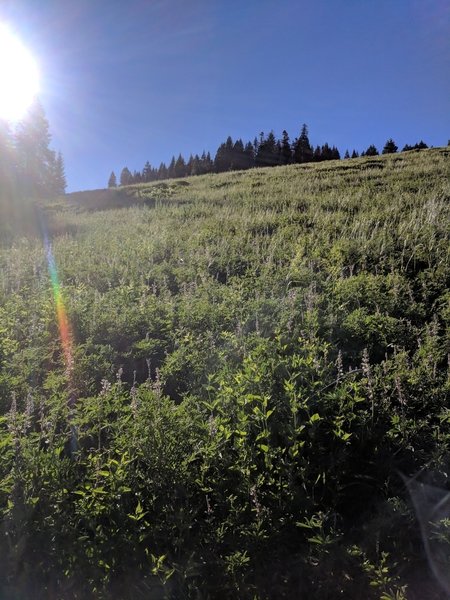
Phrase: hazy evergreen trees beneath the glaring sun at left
[28,165]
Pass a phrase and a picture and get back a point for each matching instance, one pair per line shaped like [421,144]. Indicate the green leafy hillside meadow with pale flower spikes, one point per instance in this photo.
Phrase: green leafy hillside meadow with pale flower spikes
[251,397]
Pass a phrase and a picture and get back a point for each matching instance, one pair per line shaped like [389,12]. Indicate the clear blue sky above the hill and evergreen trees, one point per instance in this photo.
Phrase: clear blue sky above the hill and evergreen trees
[123,82]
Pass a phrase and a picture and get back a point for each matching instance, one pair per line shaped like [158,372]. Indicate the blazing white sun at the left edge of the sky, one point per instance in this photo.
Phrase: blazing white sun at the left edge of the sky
[19,76]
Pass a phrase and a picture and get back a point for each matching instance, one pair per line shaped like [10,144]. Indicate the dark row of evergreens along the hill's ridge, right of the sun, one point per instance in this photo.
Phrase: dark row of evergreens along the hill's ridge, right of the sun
[265,151]
